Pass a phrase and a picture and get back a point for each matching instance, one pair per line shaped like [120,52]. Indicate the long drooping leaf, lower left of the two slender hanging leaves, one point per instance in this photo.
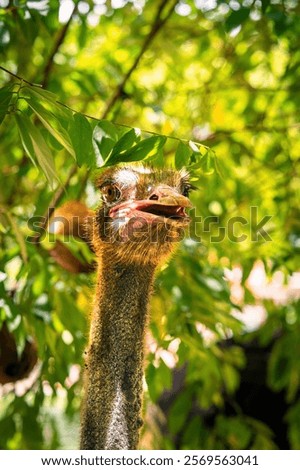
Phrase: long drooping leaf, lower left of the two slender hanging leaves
[36,147]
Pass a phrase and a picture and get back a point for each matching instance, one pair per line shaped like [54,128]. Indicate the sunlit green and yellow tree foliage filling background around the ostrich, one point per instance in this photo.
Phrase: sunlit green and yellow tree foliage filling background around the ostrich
[209,85]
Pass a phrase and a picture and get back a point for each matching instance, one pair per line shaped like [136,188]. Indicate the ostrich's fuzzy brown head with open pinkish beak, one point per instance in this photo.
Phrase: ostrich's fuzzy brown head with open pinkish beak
[143,213]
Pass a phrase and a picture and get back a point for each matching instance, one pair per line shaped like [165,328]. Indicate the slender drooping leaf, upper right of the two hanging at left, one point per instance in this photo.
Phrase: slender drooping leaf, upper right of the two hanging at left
[47,118]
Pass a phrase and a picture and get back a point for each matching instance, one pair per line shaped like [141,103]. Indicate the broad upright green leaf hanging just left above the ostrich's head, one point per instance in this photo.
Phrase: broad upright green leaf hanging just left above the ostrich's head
[81,135]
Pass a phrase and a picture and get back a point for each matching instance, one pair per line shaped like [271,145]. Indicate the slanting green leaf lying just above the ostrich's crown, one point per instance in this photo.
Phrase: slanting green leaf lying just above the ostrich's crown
[144,150]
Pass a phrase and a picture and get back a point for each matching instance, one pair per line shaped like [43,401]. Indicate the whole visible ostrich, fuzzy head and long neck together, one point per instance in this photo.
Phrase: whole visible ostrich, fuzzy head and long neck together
[142,215]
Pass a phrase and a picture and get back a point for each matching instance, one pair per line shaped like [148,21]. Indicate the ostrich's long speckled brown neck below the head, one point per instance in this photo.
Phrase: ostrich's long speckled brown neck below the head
[111,414]
